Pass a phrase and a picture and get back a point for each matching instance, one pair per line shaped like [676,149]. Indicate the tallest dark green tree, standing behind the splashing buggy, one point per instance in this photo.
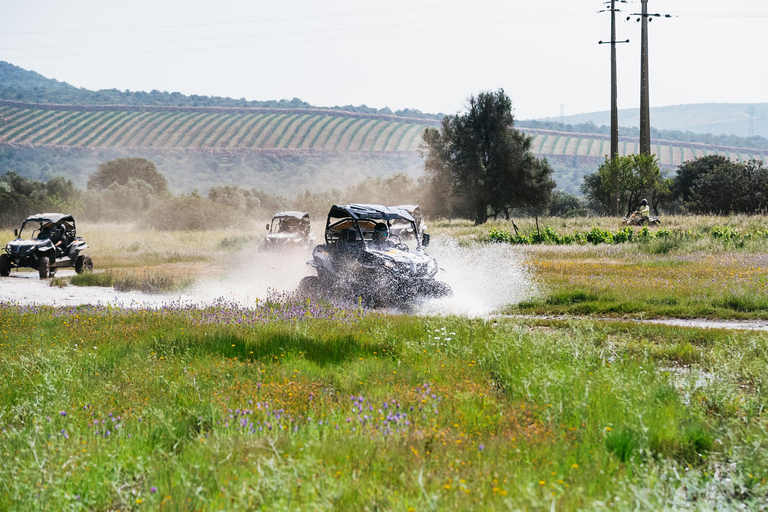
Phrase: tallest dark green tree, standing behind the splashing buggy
[485,164]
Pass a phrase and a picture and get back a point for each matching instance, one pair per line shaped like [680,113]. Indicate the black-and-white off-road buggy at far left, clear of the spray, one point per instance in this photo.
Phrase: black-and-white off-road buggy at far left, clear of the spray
[52,243]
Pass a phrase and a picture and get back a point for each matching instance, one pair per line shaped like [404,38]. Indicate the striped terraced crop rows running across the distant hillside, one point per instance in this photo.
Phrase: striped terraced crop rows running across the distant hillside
[118,126]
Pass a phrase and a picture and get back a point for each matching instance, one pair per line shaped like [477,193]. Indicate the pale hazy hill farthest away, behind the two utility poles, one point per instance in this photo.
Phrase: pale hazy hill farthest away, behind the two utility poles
[714,118]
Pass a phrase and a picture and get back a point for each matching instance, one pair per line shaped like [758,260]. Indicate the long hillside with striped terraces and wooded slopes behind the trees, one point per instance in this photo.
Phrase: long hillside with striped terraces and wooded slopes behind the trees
[50,128]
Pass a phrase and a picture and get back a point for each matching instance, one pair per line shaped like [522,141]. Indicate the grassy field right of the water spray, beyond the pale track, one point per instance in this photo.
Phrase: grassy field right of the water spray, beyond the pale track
[701,266]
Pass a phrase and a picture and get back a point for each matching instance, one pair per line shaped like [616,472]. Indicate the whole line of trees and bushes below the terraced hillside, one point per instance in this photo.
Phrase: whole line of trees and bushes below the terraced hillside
[477,166]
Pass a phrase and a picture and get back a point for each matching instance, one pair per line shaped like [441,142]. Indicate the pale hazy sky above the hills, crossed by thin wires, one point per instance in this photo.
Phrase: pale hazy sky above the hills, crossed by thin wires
[423,54]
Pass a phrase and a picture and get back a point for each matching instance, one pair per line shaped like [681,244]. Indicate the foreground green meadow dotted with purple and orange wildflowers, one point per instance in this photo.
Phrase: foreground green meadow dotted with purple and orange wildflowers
[294,405]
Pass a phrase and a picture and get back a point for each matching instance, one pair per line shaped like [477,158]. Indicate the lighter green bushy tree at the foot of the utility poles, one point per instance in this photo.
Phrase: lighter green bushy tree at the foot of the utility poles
[633,175]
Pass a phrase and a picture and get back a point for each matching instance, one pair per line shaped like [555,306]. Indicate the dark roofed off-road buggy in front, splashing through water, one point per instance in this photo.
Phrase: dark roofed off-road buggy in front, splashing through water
[355,265]
